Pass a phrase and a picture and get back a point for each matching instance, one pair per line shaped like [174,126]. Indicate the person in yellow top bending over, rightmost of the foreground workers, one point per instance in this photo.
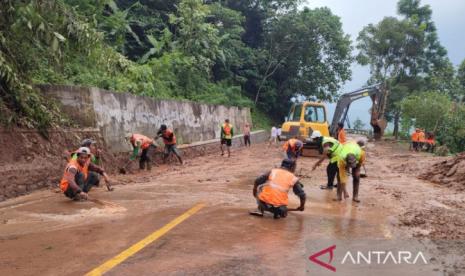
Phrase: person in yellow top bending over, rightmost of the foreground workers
[351,157]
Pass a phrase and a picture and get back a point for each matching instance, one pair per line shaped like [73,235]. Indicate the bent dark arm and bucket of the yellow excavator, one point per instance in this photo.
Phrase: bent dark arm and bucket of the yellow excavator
[378,94]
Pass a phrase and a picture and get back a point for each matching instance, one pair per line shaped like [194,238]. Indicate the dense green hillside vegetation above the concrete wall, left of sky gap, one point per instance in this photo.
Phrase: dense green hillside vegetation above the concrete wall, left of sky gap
[248,53]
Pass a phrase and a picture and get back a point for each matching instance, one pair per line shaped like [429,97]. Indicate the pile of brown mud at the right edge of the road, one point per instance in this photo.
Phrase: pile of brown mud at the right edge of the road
[450,172]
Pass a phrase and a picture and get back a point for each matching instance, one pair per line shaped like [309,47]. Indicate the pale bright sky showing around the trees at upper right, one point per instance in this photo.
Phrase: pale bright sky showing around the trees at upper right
[448,15]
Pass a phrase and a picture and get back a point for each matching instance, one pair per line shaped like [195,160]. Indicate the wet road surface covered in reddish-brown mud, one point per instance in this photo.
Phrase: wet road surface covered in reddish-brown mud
[46,234]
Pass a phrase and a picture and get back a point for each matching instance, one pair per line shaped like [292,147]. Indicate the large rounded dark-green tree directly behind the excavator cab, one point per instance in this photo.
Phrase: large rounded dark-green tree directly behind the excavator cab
[306,53]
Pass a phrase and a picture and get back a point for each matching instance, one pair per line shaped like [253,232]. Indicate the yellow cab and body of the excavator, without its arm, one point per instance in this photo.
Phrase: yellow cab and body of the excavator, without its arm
[303,119]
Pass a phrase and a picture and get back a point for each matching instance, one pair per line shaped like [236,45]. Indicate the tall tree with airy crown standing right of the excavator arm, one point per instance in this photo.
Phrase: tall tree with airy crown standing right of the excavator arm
[406,54]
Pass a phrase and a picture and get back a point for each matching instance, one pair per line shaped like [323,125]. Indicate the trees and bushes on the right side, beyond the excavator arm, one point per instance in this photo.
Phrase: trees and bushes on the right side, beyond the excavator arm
[426,91]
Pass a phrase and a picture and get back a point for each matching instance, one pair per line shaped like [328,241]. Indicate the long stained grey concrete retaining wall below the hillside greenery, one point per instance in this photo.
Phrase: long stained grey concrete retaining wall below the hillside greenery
[115,114]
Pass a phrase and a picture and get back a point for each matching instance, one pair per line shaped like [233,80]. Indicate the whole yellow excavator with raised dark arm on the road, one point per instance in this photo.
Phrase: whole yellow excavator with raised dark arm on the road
[306,117]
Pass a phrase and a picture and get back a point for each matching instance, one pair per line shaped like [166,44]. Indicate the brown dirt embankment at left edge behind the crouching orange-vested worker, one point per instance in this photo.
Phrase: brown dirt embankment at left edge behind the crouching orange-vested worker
[29,161]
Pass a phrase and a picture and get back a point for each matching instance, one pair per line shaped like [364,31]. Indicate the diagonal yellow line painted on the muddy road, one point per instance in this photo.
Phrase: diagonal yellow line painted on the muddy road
[105,267]
